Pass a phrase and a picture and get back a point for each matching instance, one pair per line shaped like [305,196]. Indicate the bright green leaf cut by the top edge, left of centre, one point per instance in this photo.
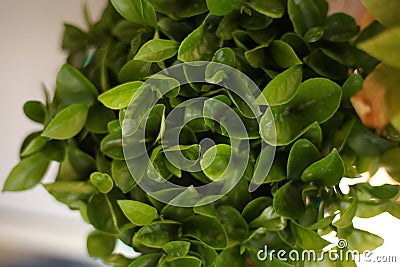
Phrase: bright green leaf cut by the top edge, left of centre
[137,11]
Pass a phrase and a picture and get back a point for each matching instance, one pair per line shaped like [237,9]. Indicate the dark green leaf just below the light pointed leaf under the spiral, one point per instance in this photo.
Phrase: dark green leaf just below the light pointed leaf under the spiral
[157,234]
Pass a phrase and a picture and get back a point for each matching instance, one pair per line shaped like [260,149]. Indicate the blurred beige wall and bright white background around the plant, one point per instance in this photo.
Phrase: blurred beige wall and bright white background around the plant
[35,230]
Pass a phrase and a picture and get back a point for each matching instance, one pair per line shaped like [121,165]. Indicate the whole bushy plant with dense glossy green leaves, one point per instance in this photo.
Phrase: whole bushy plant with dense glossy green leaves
[111,126]
